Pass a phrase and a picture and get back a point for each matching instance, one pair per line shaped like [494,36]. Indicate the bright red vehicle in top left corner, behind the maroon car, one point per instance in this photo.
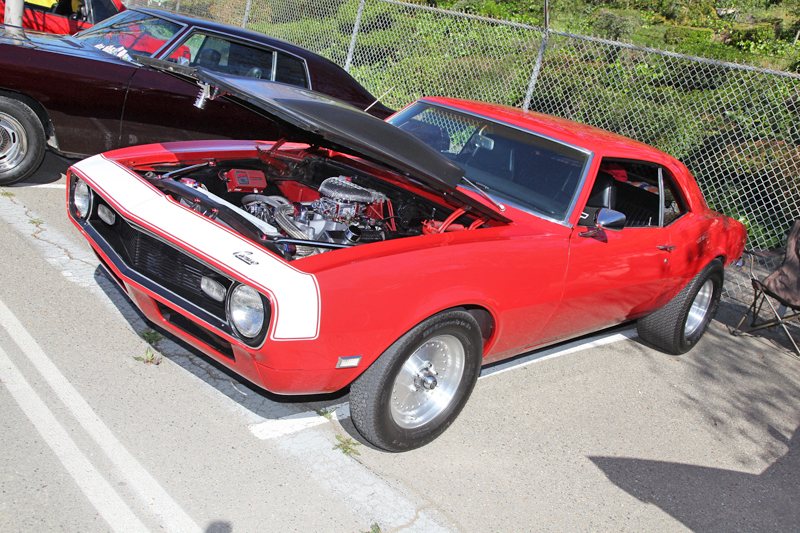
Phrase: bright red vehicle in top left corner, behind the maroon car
[65,16]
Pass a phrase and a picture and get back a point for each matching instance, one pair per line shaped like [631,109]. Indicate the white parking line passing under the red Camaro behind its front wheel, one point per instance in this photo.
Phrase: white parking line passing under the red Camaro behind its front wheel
[280,427]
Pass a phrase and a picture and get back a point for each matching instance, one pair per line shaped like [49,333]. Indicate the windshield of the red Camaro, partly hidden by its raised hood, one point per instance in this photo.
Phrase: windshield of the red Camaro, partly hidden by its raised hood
[514,166]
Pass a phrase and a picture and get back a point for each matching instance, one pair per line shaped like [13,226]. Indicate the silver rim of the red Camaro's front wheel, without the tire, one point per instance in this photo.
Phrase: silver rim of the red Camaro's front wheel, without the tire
[427,381]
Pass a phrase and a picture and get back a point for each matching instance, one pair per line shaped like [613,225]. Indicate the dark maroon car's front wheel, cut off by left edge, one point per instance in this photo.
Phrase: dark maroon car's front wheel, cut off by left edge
[22,141]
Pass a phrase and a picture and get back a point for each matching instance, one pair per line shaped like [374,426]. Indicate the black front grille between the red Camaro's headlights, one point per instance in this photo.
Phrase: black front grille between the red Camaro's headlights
[163,264]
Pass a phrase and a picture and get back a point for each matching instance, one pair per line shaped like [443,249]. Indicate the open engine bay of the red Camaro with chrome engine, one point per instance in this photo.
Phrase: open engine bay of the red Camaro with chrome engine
[298,207]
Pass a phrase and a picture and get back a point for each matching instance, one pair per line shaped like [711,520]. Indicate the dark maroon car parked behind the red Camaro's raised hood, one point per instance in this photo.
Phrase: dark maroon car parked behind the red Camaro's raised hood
[98,90]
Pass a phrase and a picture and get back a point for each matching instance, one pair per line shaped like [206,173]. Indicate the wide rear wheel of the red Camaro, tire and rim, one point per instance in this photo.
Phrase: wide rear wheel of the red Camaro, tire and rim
[676,327]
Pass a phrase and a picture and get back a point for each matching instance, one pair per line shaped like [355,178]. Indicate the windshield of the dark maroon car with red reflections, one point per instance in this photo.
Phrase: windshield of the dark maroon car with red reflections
[130,31]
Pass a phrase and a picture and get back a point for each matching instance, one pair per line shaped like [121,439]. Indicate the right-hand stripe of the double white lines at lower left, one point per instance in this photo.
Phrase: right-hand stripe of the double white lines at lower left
[154,497]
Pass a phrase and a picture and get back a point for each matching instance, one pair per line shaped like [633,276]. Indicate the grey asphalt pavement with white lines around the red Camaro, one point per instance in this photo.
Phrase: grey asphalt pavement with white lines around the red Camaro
[602,434]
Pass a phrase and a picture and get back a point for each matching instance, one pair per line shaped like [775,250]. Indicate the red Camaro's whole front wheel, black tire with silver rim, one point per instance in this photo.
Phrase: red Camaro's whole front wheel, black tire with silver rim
[416,388]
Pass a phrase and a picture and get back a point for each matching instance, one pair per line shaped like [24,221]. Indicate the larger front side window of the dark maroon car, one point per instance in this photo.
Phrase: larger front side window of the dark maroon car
[221,55]
